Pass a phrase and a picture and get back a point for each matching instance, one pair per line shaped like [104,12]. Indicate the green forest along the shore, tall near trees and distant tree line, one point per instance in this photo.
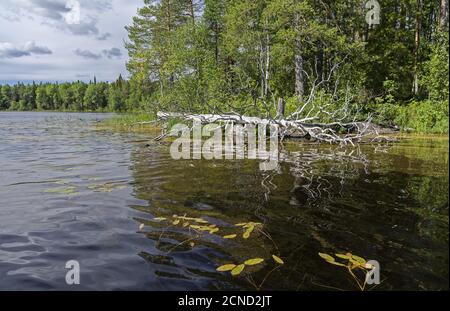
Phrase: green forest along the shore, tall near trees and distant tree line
[245,56]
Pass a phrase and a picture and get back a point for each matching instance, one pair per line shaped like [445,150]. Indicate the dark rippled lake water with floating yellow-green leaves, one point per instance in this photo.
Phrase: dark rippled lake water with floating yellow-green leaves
[70,190]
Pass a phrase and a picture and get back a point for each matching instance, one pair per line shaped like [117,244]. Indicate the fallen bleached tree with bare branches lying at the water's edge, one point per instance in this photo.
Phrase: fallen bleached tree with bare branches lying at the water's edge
[333,132]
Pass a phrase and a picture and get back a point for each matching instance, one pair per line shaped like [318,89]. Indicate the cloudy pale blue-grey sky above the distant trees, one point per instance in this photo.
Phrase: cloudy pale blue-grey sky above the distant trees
[64,40]
